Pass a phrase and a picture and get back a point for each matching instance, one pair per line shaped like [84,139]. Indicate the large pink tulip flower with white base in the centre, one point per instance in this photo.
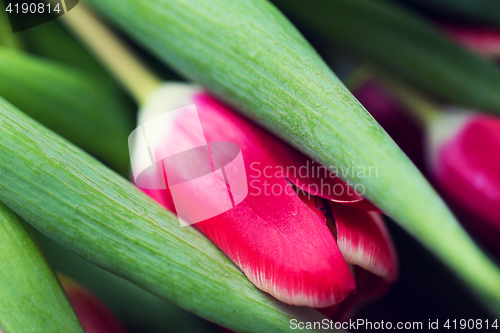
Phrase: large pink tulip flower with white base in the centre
[299,230]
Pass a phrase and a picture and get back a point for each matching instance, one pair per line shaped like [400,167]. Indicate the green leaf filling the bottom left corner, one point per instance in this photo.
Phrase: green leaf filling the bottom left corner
[31,296]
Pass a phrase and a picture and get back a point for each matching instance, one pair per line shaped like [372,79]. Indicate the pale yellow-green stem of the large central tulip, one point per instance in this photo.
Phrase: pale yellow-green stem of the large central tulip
[113,53]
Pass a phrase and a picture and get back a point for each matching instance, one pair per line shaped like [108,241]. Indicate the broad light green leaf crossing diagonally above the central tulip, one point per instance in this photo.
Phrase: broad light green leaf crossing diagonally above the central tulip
[248,54]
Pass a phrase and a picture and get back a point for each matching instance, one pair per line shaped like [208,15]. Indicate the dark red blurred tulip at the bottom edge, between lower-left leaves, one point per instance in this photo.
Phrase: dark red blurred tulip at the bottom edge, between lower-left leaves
[94,316]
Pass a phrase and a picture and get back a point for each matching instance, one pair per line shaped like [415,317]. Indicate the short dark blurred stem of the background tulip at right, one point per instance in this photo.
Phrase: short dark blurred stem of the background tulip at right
[420,107]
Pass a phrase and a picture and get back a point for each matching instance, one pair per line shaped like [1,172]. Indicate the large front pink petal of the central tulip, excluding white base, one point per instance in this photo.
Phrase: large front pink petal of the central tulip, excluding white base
[282,246]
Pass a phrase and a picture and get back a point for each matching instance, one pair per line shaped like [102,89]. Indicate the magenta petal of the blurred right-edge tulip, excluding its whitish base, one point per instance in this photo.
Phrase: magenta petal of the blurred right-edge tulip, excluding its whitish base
[467,170]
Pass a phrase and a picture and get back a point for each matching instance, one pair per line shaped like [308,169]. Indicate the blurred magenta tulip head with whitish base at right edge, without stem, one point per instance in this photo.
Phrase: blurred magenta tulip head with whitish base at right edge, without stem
[465,164]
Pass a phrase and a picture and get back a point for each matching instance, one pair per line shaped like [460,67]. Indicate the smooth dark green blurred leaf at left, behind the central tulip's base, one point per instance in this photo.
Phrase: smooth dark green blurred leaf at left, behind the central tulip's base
[69,102]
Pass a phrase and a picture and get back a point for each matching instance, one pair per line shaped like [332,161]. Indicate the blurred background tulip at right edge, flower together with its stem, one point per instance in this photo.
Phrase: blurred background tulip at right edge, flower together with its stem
[463,161]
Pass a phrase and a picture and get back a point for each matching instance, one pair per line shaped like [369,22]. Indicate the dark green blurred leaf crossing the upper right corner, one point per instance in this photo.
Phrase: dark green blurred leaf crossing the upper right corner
[402,43]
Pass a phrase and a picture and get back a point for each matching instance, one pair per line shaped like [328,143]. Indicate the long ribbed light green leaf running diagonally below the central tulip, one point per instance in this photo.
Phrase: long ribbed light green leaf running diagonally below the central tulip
[77,202]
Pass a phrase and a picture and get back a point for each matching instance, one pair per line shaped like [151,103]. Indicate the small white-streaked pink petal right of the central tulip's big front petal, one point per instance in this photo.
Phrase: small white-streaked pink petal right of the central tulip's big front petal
[364,241]
